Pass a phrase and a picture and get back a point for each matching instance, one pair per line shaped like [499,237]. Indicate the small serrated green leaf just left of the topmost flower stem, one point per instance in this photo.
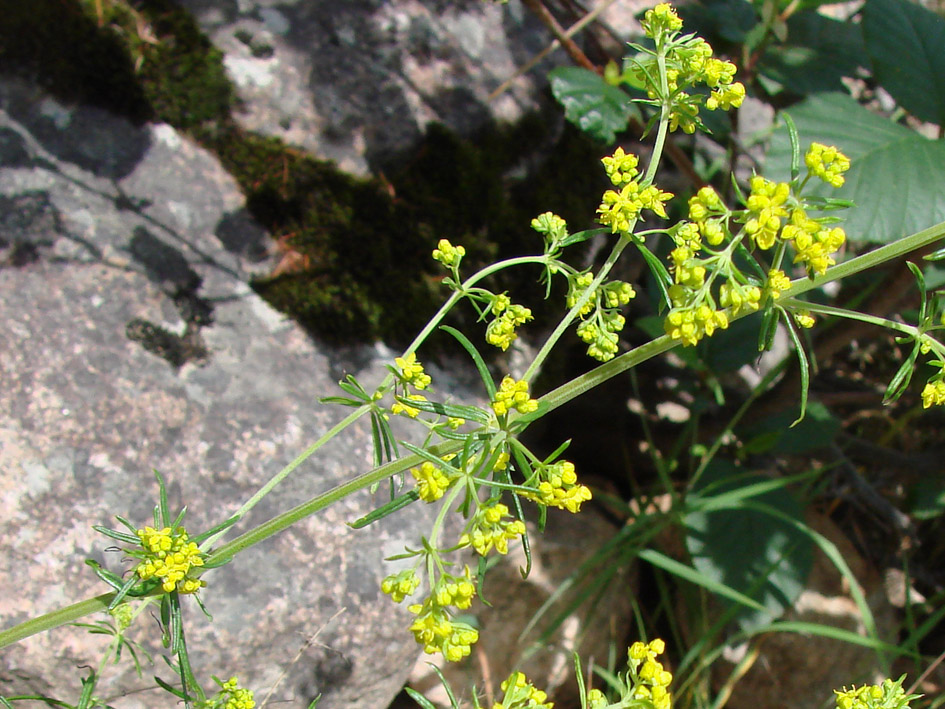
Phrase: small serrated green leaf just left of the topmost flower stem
[590,103]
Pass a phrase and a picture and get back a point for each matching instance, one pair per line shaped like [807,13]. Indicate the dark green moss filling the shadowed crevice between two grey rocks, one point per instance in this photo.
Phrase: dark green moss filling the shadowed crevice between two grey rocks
[366,244]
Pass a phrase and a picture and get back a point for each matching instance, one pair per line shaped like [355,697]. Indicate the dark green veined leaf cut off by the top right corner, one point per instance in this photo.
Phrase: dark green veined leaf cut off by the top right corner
[907,45]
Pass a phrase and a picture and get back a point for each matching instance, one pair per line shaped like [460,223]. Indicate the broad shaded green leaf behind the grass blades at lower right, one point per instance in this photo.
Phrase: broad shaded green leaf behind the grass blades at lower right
[755,554]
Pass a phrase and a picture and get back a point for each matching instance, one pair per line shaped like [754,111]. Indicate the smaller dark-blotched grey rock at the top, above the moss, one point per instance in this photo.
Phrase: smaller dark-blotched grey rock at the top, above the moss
[357,81]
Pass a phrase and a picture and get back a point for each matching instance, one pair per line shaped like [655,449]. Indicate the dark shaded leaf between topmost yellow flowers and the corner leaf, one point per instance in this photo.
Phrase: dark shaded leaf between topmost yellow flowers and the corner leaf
[818,53]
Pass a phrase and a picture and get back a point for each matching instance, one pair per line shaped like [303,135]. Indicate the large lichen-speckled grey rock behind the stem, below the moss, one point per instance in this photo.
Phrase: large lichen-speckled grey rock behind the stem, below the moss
[132,342]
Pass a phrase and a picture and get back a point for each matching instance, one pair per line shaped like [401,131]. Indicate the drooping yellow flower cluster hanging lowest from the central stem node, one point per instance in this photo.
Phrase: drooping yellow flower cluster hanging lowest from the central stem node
[435,629]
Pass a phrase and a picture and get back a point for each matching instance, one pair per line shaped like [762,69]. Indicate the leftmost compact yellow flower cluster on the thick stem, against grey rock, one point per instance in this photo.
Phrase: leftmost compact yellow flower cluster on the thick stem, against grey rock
[170,556]
